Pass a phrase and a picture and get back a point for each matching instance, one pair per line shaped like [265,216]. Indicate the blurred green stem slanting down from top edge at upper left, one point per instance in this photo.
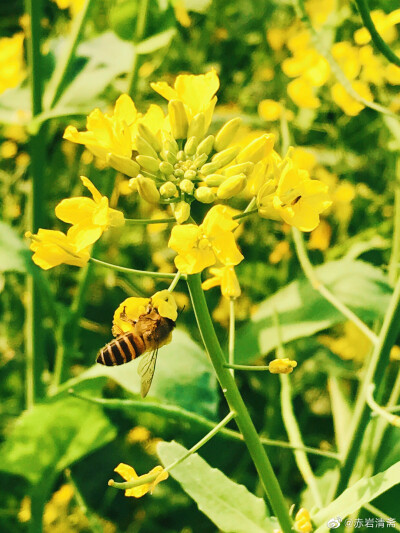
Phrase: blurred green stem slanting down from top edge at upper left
[59,79]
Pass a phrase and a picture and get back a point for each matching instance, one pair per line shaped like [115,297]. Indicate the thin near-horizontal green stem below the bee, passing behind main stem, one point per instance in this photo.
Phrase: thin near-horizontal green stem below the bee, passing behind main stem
[178,414]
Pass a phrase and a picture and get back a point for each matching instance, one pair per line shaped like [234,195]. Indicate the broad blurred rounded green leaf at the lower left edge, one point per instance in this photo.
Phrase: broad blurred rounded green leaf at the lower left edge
[52,436]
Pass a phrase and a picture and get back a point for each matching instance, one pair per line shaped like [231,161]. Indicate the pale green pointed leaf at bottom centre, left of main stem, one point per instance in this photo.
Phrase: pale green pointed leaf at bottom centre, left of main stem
[229,505]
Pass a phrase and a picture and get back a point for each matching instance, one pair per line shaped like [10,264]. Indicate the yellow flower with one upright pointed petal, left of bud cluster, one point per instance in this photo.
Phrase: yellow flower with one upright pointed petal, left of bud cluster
[90,217]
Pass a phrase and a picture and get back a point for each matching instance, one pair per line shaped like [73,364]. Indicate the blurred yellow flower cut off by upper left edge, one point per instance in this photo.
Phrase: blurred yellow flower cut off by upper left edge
[11,61]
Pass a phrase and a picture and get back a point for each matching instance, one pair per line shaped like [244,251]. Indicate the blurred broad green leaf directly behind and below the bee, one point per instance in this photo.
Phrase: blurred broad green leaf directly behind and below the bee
[183,377]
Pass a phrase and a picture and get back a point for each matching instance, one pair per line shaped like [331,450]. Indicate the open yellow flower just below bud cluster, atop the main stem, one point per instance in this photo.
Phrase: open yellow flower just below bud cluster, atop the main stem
[202,246]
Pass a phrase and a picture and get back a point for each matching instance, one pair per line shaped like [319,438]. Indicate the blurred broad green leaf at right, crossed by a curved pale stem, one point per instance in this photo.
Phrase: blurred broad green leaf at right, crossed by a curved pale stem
[303,311]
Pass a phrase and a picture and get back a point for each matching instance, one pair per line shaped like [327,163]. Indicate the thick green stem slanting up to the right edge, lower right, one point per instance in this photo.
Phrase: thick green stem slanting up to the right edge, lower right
[374,374]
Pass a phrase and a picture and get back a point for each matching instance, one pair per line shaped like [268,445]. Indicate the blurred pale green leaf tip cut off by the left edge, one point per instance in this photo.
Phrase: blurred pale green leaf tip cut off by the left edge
[14,253]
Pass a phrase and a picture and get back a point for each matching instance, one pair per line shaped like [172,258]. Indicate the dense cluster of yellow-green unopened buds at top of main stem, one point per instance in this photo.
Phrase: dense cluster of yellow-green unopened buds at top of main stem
[188,165]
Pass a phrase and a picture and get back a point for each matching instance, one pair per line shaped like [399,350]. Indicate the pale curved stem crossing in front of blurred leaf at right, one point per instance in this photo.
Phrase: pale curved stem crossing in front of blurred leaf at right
[308,270]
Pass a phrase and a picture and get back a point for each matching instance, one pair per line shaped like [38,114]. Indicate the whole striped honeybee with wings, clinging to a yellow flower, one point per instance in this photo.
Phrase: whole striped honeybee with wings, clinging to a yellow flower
[148,334]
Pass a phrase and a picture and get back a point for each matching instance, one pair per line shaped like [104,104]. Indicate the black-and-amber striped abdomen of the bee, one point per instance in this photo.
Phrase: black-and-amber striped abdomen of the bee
[121,350]
